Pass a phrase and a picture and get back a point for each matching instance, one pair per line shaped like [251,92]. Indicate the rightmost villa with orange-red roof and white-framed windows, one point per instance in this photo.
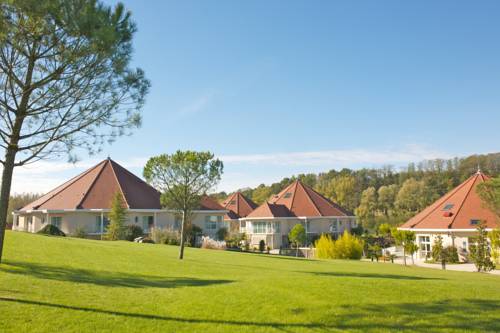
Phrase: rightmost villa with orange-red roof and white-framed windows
[454,217]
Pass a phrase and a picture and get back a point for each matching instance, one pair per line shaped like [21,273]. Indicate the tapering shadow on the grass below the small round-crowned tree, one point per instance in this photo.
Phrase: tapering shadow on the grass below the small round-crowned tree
[104,278]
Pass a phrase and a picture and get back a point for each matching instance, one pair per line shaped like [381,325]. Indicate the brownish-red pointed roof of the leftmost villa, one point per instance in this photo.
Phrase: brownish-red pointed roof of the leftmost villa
[95,188]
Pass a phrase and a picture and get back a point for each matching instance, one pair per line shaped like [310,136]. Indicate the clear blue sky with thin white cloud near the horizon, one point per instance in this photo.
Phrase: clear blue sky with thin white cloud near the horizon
[276,88]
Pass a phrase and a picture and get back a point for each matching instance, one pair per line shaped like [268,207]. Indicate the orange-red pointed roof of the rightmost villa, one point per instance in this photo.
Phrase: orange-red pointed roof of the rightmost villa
[456,209]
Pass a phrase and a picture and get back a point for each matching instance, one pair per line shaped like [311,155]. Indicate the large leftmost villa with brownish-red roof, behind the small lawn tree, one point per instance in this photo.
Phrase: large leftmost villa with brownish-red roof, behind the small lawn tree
[85,201]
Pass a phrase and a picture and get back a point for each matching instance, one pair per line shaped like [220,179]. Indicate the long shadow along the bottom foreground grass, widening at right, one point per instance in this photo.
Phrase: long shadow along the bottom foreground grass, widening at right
[446,315]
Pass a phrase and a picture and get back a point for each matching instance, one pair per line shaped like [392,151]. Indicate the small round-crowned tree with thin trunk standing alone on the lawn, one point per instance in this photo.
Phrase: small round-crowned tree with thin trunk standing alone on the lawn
[183,178]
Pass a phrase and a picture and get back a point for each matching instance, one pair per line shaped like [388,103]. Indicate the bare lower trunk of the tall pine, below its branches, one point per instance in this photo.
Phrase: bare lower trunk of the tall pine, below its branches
[8,169]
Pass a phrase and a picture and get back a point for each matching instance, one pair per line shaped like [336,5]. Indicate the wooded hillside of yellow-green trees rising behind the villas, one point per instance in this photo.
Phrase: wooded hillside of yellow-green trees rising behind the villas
[385,195]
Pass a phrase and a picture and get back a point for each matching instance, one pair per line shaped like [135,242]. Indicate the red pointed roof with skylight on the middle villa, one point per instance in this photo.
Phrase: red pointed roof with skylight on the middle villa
[299,200]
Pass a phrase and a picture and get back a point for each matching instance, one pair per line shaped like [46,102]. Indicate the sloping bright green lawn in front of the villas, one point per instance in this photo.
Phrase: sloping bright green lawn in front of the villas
[50,284]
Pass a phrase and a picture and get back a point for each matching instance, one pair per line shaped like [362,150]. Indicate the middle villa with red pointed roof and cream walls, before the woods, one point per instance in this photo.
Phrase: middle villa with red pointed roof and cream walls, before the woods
[296,204]
